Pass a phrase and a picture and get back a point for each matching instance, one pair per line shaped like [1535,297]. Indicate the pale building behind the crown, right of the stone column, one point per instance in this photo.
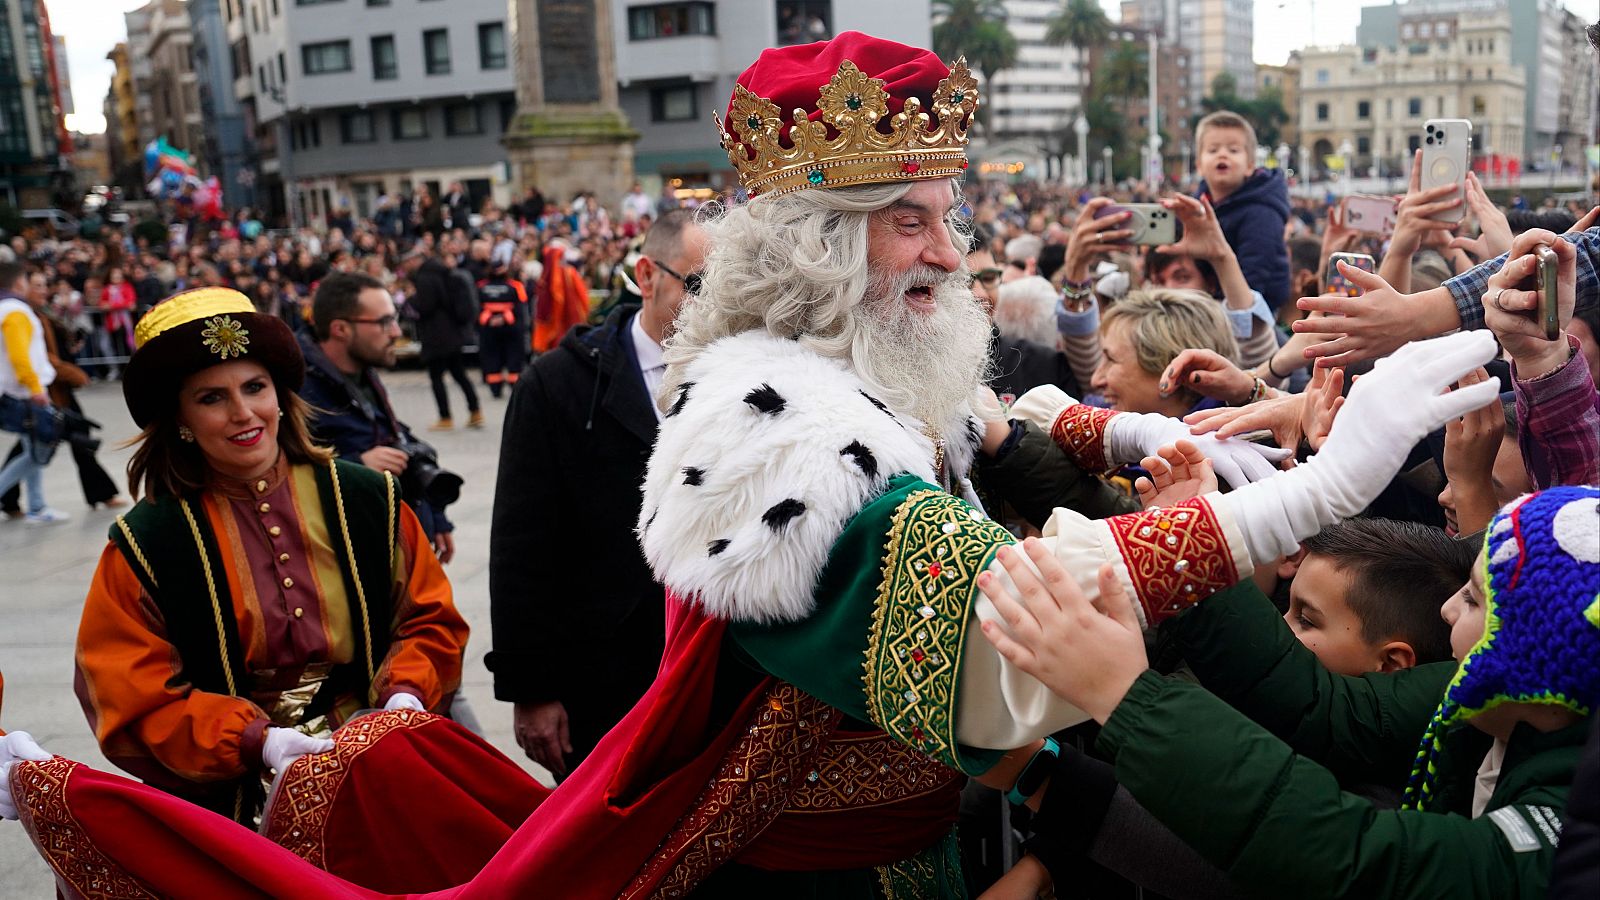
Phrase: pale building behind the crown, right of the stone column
[676,65]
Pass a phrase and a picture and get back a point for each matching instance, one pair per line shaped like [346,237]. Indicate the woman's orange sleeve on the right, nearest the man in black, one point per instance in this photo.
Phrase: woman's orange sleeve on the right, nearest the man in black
[430,635]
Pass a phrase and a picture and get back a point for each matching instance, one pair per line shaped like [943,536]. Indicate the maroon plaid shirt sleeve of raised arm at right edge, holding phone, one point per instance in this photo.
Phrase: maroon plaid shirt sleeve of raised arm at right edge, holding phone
[1559,425]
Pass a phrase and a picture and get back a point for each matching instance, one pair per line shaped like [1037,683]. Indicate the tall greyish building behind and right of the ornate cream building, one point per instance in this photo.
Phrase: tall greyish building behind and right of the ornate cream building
[1545,44]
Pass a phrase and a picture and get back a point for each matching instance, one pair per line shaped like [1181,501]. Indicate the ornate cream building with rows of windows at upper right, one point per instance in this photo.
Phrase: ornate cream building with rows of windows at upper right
[1378,98]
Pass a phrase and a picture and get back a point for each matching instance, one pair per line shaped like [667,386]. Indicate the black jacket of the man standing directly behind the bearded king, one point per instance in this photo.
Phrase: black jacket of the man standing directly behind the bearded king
[577,614]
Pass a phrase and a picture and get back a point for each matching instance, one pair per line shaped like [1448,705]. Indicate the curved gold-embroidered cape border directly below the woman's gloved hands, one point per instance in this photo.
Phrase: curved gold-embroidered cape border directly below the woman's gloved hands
[298,814]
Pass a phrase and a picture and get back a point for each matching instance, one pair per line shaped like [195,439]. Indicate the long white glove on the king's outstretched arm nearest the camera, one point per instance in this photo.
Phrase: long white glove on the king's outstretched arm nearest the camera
[1385,416]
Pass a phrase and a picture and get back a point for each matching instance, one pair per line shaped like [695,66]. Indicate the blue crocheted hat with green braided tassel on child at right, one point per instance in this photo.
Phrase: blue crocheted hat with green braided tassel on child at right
[1542,638]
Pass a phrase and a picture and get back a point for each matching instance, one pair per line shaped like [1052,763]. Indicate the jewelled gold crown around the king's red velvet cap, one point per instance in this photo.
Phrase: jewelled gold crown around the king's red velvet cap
[860,155]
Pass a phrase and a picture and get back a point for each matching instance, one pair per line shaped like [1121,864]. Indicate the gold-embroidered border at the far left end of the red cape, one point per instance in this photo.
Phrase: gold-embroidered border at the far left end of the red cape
[41,790]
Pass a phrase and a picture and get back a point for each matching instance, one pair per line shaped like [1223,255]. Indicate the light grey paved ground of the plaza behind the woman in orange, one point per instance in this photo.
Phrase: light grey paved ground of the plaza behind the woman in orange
[46,573]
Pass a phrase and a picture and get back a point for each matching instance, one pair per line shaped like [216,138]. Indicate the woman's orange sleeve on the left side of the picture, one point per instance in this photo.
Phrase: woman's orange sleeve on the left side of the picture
[145,717]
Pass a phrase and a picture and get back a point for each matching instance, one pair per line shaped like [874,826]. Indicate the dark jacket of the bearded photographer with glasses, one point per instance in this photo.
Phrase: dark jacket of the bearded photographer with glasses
[351,425]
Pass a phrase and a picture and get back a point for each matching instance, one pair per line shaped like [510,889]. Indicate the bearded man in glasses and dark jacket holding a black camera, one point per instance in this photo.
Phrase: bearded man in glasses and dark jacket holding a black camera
[356,331]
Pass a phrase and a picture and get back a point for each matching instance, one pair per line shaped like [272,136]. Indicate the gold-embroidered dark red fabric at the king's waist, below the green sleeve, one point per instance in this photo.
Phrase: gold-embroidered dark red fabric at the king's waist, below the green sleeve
[868,771]
